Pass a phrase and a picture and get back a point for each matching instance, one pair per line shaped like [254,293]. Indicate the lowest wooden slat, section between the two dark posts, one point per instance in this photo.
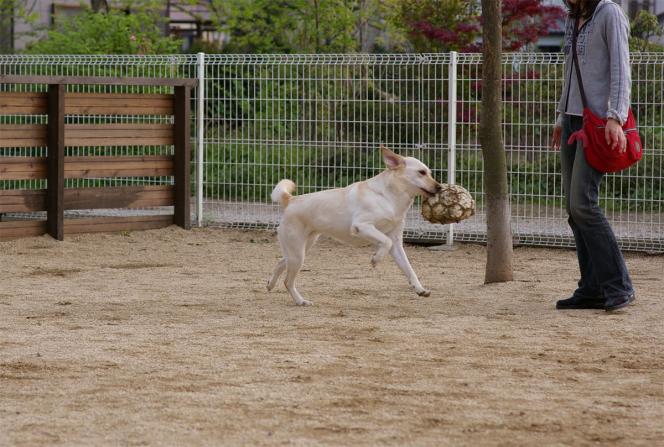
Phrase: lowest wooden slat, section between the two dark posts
[104,224]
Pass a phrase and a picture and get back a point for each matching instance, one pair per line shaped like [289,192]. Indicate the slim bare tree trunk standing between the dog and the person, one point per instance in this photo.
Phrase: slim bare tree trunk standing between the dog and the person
[499,231]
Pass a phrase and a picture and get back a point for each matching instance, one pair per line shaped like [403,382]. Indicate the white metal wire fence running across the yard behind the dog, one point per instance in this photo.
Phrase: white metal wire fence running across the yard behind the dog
[319,119]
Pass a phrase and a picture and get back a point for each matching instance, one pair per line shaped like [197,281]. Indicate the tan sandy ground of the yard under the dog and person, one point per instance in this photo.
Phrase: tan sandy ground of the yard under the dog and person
[170,338]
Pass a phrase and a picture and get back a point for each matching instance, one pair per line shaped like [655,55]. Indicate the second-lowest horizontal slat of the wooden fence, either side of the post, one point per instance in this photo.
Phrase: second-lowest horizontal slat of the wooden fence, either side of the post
[24,200]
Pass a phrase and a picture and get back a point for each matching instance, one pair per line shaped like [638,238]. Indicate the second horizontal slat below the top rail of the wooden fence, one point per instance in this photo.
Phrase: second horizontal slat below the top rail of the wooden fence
[77,135]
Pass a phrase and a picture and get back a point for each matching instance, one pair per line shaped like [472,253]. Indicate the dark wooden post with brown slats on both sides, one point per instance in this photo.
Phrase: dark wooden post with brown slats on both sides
[55,160]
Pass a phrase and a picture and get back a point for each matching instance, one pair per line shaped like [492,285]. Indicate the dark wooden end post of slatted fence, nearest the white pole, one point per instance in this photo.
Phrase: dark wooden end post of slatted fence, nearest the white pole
[182,212]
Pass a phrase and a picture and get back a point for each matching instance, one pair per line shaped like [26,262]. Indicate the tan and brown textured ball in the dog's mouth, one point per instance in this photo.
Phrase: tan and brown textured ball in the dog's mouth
[451,205]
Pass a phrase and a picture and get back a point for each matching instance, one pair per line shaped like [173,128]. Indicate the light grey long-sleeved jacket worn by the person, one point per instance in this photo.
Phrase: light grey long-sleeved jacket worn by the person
[603,52]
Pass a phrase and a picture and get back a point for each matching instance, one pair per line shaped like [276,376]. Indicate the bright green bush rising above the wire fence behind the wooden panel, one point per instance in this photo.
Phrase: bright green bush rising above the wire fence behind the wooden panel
[114,32]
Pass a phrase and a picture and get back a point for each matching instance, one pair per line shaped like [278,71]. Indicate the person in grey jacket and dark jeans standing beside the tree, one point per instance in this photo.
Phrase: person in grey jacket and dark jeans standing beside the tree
[601,31]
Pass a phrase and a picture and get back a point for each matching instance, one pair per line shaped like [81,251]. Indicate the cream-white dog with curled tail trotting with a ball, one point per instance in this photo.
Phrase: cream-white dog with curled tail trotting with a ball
[372,211]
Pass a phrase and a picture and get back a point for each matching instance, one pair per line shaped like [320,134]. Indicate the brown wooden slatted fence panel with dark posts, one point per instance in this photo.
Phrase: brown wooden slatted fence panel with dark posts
[55,167]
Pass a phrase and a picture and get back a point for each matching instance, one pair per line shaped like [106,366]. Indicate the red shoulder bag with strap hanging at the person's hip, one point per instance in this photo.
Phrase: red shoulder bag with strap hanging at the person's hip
[599,154]
